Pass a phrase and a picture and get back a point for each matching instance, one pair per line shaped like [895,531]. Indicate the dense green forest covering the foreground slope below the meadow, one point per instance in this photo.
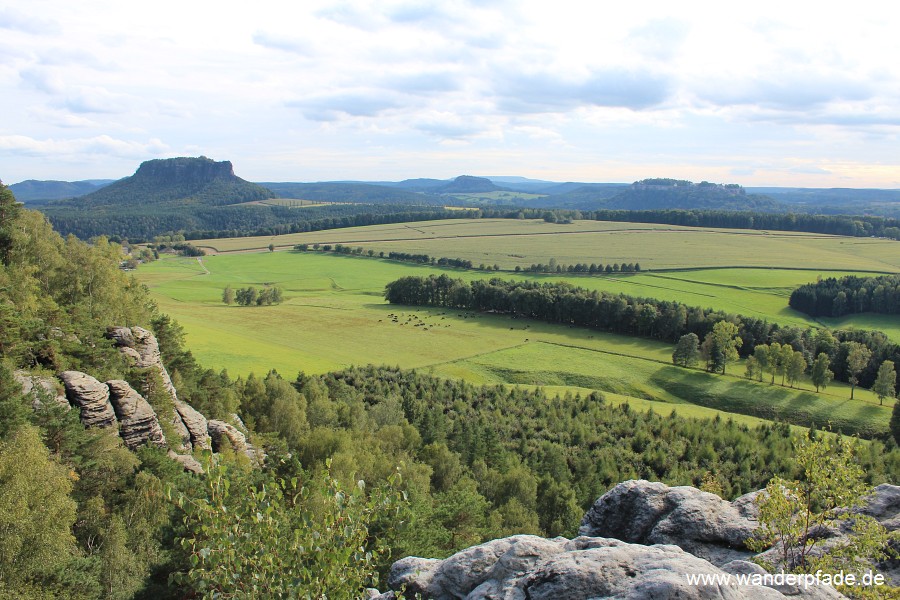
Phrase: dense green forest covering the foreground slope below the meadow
[363,465]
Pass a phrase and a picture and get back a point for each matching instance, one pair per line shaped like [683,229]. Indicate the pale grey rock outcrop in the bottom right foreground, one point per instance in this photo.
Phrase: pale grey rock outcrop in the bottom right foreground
[665,535]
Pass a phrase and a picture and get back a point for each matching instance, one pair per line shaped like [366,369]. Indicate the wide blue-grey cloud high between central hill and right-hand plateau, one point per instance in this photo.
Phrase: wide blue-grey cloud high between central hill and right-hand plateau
[613,87]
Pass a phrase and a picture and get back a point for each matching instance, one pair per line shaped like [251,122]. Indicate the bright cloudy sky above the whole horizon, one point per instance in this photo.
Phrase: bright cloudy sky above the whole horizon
[790,93]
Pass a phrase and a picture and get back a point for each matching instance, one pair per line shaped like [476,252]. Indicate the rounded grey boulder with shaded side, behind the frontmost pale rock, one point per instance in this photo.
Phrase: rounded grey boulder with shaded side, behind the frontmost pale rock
[701,523]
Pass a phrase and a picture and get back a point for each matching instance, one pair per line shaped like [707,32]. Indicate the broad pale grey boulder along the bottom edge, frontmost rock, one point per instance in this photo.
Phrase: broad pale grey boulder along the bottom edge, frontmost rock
[527,567]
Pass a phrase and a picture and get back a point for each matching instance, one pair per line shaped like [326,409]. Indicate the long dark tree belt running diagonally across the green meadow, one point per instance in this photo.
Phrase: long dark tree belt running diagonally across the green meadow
[646,317]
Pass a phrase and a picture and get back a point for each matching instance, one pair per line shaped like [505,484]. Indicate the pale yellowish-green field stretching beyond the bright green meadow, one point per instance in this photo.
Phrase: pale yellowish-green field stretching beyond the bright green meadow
[510,243]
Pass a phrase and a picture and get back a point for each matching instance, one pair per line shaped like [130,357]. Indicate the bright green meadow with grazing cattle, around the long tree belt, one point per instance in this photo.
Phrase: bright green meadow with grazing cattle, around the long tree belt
[334,316]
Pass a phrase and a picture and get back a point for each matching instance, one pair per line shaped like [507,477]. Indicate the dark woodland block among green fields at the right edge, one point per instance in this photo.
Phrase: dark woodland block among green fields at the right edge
[833,297]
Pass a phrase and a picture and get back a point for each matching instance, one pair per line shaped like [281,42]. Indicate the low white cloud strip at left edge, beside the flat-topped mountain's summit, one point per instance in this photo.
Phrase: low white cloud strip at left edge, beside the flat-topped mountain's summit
[102,144]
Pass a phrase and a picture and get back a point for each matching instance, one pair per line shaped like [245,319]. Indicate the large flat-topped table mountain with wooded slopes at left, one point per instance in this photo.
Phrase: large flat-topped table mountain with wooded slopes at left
[195,180]
